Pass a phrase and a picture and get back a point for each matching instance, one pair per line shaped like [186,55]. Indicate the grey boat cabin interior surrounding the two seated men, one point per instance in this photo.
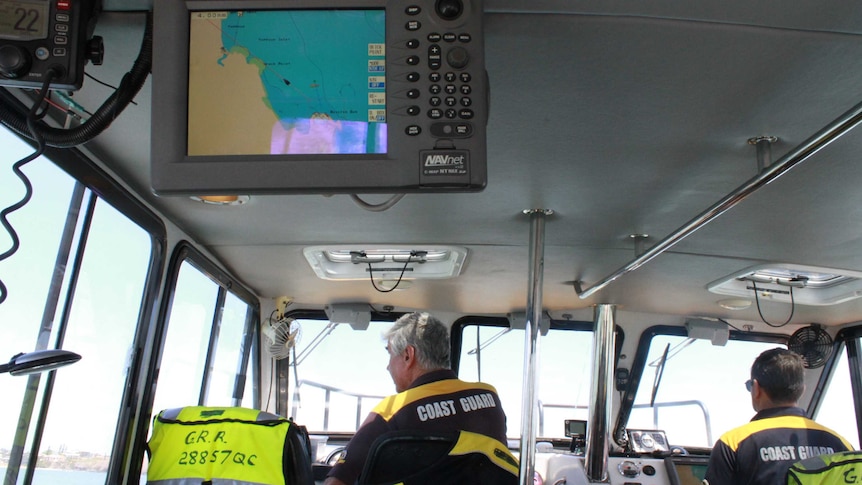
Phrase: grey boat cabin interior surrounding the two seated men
[614,206]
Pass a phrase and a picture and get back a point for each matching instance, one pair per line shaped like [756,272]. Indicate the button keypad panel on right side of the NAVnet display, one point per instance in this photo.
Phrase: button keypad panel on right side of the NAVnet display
[436,88]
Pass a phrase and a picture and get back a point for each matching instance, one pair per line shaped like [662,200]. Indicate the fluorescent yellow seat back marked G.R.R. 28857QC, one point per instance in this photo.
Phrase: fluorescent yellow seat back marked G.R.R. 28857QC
[227,445]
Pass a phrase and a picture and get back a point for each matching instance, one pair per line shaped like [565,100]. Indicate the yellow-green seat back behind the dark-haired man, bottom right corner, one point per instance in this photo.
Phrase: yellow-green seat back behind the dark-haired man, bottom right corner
[842,467]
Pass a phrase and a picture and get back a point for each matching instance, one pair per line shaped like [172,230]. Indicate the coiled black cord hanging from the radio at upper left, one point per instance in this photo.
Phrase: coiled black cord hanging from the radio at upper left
[32,117]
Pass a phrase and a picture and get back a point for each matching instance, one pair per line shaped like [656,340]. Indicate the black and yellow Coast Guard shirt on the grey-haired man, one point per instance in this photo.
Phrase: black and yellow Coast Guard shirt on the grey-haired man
[437,401]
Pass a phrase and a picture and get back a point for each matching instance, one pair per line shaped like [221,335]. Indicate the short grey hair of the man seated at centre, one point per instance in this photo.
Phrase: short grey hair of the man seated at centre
[429,336]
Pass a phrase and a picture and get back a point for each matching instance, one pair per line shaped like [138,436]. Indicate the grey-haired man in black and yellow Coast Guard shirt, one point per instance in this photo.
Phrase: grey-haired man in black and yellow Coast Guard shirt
[430,396]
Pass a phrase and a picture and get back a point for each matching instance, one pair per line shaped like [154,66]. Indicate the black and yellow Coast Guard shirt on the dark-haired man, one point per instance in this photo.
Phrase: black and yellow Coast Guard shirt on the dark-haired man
[762,451]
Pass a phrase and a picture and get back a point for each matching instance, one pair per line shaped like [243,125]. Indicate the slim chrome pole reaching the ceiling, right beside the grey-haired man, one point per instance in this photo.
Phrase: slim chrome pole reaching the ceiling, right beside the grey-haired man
[531,344]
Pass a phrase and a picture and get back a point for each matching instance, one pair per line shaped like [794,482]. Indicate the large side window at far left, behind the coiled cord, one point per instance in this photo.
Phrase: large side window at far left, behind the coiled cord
[77,282]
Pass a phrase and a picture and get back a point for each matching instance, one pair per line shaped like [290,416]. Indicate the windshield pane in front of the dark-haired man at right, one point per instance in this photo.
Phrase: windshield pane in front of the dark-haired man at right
[698,389]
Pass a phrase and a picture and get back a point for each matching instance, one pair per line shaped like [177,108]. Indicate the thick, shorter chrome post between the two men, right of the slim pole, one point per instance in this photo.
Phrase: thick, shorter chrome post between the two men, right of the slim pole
[598,427]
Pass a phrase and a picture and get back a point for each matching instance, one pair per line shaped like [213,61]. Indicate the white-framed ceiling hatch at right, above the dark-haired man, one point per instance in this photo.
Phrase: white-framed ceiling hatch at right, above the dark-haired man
[801,284]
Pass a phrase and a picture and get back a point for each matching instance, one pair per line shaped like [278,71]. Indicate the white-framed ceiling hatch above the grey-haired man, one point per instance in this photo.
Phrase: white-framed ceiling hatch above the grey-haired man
[385,263]
